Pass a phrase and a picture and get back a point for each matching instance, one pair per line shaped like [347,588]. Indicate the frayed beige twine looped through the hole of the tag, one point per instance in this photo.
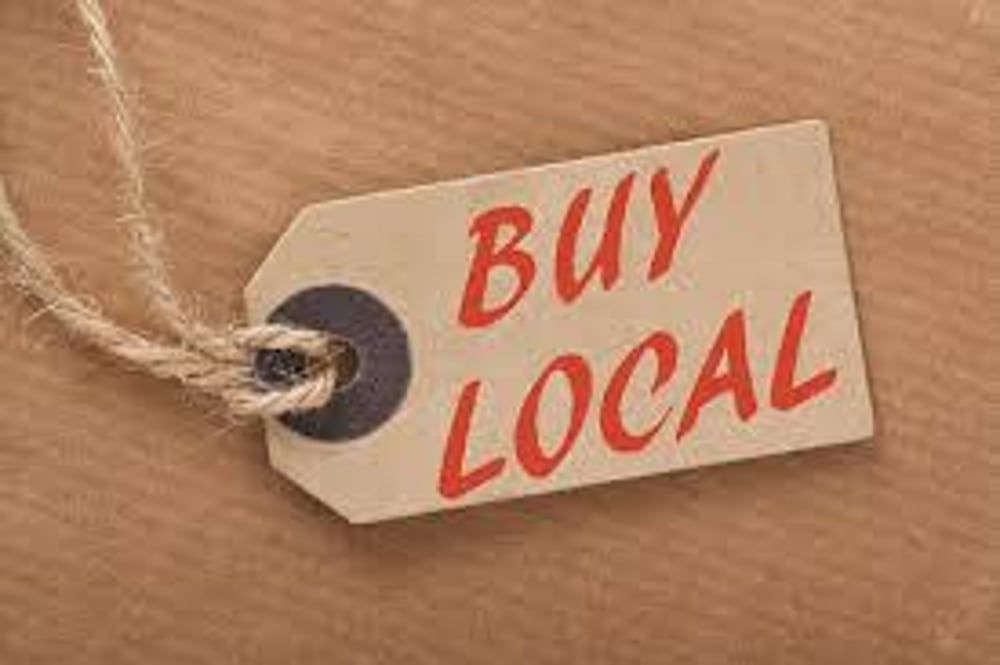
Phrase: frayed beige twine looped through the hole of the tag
[217,361]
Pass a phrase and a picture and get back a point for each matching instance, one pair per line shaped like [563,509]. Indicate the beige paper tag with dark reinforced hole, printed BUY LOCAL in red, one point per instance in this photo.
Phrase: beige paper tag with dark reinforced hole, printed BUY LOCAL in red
[536,330]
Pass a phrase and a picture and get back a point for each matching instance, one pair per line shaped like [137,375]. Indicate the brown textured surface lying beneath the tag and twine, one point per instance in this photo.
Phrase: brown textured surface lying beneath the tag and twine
[137,525]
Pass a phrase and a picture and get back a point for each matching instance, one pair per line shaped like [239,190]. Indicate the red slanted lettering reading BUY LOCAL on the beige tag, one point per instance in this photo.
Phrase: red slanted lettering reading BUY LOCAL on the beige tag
[724,371]
